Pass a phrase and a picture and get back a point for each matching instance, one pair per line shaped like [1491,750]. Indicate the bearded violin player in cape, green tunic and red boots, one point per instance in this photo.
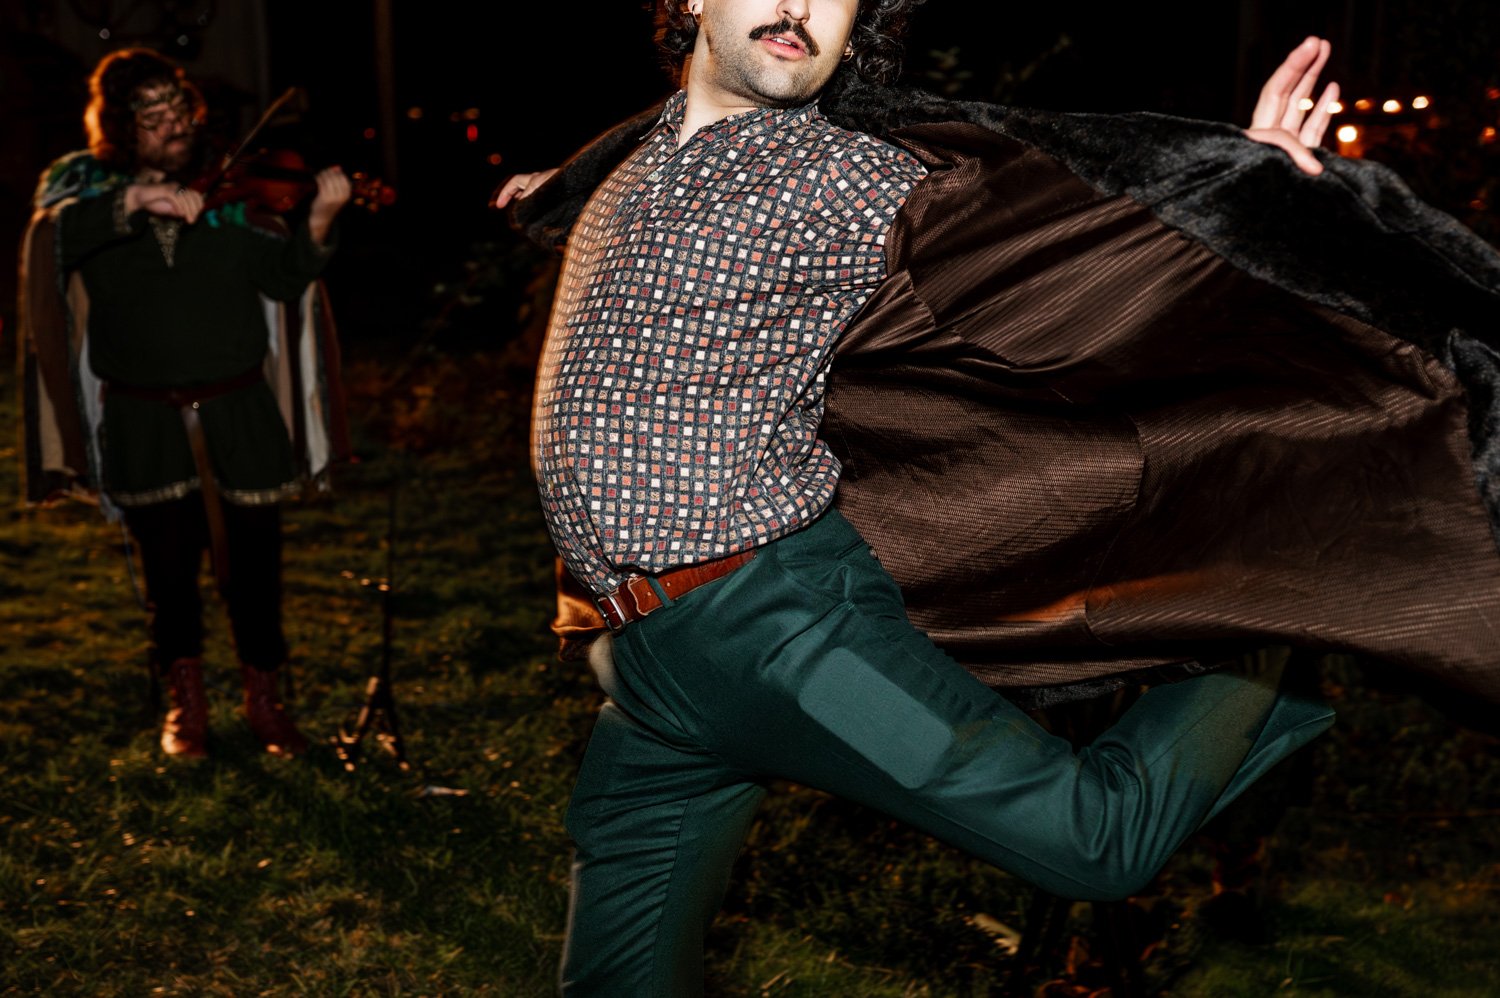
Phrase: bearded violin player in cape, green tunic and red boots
[179,364]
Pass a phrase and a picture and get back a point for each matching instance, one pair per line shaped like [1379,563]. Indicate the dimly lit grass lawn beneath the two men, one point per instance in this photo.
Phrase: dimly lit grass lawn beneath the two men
[127,874]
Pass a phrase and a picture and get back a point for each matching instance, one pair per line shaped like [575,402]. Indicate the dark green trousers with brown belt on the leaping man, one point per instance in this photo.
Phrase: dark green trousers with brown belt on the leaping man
[803,666]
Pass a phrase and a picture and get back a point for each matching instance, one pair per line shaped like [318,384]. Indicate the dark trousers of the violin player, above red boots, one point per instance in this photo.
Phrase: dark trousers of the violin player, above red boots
[173,538]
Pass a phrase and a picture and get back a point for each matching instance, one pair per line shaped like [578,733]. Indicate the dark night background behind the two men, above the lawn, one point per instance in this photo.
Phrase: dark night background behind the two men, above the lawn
[535,82]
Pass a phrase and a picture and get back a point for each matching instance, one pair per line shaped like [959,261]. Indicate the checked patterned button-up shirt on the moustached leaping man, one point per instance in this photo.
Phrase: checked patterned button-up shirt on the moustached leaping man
[682,386]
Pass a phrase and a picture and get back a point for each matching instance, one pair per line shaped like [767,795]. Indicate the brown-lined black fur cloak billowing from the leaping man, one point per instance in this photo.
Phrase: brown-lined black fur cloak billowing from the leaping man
[1139,392]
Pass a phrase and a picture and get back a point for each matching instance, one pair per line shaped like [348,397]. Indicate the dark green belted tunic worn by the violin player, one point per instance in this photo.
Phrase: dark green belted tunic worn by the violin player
[175,307]
